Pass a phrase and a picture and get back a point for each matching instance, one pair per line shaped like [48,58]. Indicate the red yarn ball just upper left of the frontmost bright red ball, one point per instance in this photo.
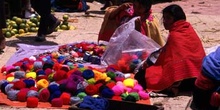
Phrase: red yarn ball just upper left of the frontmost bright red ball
[22,95]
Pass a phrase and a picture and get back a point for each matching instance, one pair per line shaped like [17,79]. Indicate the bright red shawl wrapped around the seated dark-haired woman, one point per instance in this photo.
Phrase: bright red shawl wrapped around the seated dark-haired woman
[181,58]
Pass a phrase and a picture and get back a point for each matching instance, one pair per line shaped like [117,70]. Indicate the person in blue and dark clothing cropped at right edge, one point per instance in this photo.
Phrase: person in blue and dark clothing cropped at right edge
[206,95]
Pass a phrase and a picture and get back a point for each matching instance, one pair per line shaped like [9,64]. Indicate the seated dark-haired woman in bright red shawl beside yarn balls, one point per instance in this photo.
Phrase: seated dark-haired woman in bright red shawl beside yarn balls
[179,60]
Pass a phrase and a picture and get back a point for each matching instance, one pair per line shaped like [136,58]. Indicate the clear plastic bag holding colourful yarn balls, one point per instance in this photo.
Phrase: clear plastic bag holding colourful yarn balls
[128,47]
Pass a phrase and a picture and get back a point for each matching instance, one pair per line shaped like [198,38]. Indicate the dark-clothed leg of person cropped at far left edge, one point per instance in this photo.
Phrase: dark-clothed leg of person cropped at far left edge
[2,25]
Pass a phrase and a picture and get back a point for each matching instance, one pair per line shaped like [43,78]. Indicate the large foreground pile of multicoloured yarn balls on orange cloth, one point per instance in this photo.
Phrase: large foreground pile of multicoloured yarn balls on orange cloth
[61,84]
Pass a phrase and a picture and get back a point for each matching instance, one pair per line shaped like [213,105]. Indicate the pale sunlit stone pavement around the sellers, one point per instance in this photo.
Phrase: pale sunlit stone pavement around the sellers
[202,14]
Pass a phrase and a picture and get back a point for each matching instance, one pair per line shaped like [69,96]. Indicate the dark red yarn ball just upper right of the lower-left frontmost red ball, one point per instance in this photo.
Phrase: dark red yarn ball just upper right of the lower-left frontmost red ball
[44,95]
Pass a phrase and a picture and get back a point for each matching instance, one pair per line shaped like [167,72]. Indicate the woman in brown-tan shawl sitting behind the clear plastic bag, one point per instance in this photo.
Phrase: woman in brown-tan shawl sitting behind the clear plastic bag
[147,24]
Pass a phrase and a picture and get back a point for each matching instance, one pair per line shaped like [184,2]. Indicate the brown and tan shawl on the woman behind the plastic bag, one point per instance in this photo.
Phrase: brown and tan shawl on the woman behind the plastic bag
[110,25]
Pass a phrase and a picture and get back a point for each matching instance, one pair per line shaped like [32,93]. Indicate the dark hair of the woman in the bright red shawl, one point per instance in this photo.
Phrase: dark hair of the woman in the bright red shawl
[176,11]
